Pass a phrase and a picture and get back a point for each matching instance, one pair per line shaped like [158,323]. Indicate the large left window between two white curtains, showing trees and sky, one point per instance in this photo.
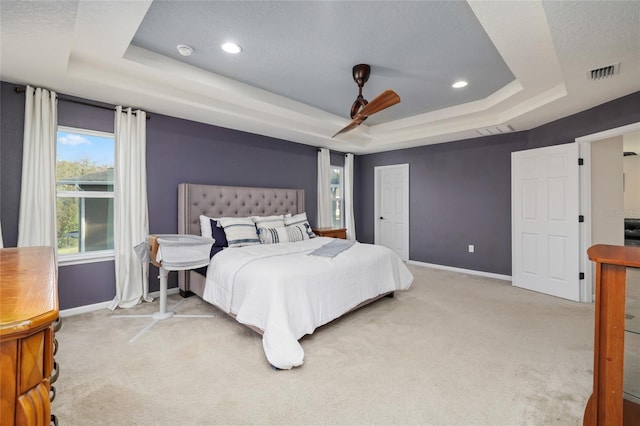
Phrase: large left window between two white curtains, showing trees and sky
[84,191]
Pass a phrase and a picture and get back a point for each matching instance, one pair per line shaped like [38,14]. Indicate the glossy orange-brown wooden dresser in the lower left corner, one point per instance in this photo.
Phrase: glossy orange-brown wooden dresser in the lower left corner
[28,311]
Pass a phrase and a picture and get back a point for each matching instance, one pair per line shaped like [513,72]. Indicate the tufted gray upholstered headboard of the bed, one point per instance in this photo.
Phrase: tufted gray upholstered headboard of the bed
[228,201]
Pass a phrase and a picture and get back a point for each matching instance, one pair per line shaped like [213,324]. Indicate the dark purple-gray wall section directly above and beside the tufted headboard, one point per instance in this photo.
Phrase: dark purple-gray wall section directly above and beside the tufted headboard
[185,151]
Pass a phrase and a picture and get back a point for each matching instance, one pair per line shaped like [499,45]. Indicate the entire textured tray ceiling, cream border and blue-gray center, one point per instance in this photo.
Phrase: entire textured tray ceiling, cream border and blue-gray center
[527,62]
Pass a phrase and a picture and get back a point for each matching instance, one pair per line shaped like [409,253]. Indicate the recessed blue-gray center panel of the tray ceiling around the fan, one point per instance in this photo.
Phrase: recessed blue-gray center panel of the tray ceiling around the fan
[305,50]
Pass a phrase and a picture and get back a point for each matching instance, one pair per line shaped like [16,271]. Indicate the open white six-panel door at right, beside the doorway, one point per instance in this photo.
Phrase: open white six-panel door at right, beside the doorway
[545,227]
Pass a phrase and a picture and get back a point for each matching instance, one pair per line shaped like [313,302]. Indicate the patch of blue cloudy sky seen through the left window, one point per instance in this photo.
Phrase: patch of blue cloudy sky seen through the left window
[76,147]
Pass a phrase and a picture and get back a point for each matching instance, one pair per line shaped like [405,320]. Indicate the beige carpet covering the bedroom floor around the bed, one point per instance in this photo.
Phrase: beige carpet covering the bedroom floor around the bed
[455,349]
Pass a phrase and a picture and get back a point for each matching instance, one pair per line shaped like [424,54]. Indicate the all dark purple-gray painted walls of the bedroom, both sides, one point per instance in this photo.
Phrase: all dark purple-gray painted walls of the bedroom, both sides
[460,191]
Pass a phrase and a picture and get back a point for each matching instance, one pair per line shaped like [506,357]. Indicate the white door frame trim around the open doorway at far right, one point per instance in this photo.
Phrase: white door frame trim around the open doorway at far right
[584,151]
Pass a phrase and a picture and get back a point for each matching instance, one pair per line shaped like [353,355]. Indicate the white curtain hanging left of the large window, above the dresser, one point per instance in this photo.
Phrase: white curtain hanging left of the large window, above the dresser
[37,217]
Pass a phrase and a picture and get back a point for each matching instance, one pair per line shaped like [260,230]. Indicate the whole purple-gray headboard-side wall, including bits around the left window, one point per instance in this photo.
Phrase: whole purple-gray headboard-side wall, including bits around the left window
[177,151]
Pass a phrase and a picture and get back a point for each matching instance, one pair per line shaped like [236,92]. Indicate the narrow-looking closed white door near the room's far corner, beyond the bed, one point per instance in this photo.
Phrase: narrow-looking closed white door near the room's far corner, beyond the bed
[392,208]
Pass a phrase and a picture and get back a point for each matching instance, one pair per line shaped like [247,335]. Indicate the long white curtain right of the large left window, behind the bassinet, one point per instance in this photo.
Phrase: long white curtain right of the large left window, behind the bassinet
[131,218]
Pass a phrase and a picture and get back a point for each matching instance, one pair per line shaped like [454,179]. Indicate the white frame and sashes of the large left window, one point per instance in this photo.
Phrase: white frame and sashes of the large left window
[96,255]
